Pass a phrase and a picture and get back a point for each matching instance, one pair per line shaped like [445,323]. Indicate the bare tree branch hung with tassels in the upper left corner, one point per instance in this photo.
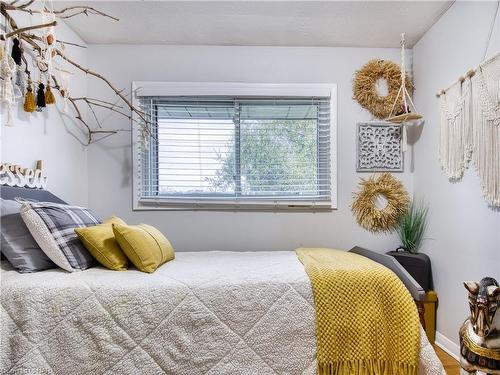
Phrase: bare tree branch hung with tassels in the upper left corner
[39,43]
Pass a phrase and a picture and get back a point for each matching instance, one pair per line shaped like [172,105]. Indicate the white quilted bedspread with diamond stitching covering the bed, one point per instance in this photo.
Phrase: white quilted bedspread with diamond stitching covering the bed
[204,313]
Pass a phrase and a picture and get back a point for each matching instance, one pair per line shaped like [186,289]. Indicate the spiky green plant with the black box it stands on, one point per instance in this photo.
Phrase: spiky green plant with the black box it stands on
[411,229]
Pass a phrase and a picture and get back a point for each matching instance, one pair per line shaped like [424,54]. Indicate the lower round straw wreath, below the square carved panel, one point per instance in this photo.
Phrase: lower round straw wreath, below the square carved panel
[364,209]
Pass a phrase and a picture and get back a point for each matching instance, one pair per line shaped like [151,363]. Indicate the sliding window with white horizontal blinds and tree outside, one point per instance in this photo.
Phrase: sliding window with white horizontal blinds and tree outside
[235,152]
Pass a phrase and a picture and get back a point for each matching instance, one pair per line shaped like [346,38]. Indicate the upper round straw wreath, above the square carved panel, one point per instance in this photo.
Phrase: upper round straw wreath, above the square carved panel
[365,91]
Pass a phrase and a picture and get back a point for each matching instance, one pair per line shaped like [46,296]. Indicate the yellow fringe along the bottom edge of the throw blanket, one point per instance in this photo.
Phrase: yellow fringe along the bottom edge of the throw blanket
[367,367]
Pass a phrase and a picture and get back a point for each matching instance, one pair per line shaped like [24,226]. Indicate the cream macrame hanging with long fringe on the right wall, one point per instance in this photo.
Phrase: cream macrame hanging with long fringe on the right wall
[470,125]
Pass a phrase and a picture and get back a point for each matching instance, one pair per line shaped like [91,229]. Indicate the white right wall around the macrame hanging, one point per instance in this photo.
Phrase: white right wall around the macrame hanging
[465,233]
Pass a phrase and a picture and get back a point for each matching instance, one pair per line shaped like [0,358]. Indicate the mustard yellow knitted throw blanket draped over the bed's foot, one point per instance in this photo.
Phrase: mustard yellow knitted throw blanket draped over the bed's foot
[366,320]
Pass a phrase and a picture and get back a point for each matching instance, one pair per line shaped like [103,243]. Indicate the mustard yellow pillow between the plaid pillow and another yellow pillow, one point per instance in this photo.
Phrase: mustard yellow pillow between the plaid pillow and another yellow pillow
[100,241]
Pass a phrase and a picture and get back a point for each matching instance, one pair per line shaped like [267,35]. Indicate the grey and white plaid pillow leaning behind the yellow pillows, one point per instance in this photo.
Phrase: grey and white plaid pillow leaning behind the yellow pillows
[53,226]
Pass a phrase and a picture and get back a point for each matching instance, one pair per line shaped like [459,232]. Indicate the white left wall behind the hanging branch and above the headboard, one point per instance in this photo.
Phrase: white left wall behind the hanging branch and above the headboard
[51,136]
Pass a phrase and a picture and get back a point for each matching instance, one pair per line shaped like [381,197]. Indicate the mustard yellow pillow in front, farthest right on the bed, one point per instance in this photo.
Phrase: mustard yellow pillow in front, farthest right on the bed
[145,246]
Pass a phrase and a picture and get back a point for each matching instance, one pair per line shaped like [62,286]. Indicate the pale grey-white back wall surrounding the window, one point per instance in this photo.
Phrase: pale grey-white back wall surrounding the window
[110,160]
